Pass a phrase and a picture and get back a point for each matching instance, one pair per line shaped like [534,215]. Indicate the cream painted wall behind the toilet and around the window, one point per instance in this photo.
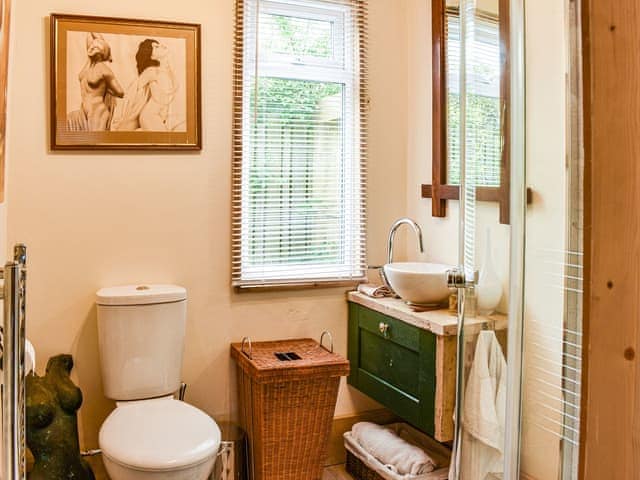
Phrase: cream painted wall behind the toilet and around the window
[92,220]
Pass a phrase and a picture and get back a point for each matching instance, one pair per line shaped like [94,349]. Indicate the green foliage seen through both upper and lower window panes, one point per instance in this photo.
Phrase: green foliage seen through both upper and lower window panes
[296,157]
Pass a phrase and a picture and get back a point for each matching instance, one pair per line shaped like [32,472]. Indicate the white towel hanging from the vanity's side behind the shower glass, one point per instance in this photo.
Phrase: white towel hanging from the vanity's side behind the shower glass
[481,453]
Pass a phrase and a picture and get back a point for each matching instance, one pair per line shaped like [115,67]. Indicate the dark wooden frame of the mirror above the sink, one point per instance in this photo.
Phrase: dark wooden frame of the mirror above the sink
[440,191]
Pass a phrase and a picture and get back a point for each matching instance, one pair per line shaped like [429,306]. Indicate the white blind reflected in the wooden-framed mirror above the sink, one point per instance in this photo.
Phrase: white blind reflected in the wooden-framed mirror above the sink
[483,116]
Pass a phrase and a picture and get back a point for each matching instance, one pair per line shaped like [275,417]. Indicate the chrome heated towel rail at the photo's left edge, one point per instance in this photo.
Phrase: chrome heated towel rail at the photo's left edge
[13,362]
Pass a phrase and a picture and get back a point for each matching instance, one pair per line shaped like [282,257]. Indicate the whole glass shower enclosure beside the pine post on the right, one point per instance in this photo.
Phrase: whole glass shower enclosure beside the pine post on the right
[535,390]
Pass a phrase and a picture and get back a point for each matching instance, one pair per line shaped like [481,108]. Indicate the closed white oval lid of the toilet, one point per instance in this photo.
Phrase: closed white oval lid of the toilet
[159,434]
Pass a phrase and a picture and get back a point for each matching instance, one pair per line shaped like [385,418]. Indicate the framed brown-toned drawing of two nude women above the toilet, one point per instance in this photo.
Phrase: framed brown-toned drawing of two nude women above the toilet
[120,84]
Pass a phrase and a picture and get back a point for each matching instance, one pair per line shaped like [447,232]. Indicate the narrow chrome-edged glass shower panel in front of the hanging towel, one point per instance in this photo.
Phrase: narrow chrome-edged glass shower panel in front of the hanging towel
[479,446]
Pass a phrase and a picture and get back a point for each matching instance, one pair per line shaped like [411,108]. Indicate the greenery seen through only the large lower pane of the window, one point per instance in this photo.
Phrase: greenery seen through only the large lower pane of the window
[289,129]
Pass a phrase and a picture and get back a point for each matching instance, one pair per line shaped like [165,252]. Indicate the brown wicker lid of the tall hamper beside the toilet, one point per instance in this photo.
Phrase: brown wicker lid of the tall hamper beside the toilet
[283,360]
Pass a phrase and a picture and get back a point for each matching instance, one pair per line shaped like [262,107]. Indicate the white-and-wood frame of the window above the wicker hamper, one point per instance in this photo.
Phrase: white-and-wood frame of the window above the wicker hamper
[287,278]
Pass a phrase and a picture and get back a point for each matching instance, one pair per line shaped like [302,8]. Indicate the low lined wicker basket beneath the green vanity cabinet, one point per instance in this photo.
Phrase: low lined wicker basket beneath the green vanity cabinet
[363,466]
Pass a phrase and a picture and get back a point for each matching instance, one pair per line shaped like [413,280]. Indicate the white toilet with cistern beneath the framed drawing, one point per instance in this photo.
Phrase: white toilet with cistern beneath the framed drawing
[150,435]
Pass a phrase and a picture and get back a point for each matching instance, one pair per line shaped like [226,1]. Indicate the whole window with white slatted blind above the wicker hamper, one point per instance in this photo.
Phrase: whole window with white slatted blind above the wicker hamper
[299,142]
